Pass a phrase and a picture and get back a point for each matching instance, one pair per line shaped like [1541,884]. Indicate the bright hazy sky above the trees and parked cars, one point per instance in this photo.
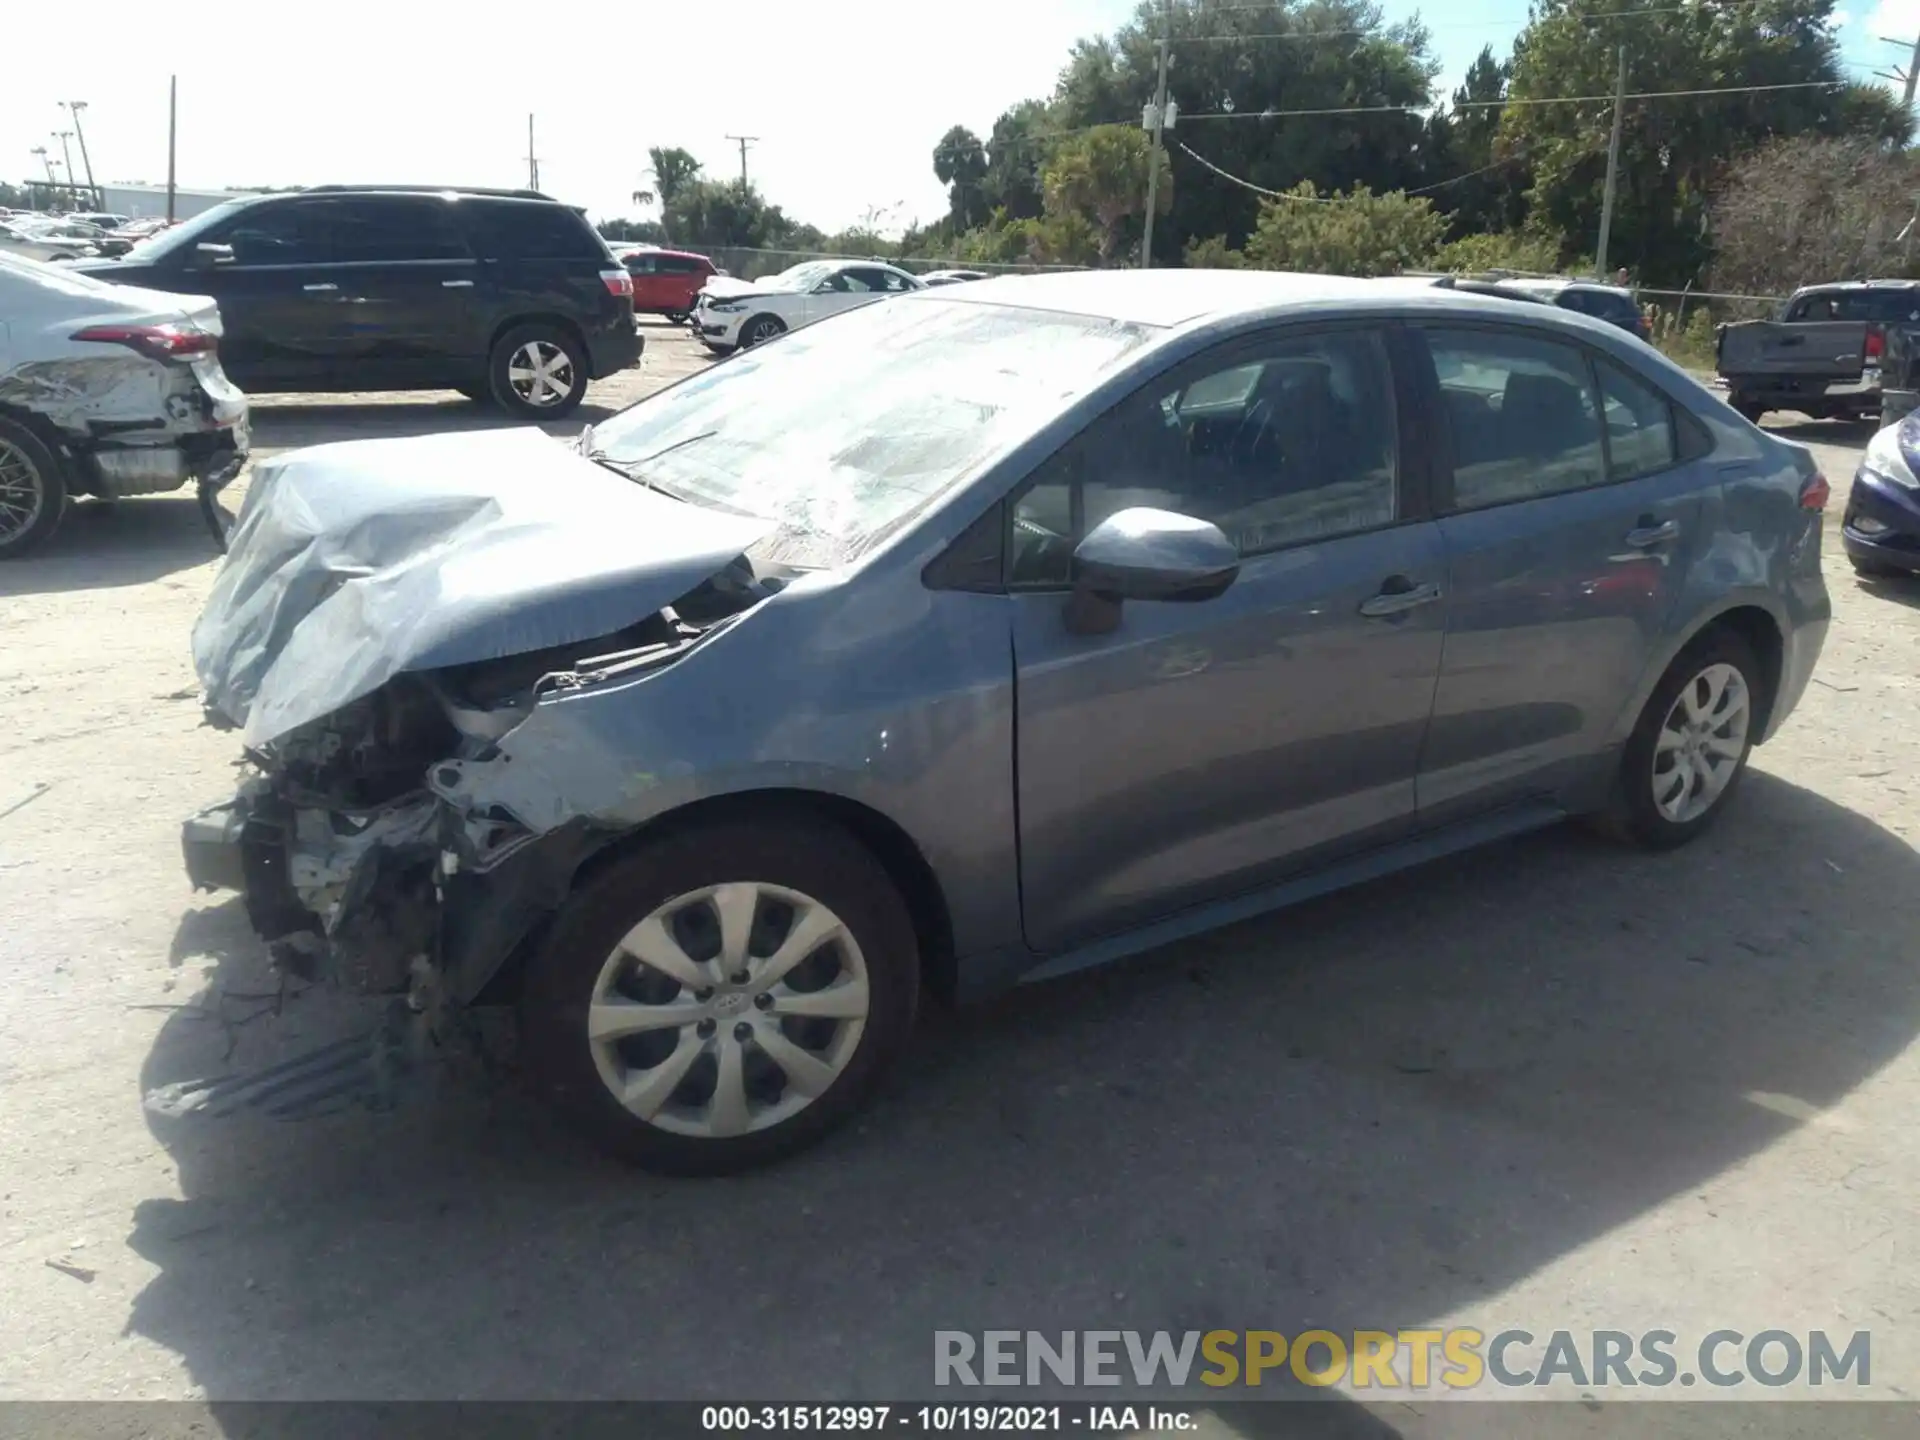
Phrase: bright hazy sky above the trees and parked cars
[848,99]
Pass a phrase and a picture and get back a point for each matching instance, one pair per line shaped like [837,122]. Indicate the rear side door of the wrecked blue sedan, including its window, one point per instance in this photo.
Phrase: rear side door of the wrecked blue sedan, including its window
[1573,510]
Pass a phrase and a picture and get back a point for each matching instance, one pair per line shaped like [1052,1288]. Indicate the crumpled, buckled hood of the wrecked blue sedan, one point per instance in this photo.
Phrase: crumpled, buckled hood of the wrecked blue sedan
[366,560]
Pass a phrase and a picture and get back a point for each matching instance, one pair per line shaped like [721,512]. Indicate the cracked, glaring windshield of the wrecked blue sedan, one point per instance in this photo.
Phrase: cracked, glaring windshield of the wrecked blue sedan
[842,431]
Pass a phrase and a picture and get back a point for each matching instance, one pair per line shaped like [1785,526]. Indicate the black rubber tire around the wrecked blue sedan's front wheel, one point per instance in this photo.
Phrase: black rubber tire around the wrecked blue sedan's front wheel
[796,853]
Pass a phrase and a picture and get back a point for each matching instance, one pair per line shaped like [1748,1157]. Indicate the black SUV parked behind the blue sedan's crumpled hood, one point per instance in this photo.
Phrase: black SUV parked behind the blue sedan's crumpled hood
[502,295]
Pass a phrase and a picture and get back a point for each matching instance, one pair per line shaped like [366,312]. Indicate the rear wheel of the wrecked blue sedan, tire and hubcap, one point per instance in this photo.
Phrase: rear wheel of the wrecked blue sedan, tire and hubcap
[1691,746]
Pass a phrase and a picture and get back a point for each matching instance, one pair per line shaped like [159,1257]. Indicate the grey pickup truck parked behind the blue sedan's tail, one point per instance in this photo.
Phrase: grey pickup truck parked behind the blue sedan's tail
[1823,356]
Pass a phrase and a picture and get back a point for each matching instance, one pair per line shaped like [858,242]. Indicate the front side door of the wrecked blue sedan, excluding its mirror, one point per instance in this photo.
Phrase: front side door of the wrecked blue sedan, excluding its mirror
[1207,750]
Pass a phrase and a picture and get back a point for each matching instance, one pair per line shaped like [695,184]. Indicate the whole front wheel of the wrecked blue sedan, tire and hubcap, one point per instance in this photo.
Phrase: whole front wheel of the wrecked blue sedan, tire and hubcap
[723,997]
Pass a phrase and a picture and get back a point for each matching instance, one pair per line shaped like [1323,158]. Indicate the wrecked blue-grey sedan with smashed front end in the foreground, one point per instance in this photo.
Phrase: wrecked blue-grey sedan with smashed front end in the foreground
[971,640]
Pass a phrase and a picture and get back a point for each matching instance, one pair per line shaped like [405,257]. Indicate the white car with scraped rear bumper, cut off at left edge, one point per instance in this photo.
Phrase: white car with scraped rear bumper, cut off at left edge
[107,391]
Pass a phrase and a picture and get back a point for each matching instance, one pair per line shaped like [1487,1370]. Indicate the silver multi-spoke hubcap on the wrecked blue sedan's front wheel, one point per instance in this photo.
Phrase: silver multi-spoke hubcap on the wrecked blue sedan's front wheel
[729,1011]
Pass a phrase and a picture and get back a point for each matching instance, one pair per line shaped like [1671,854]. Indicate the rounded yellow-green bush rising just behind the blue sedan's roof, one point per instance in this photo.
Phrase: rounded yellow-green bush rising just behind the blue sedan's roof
[1353,233]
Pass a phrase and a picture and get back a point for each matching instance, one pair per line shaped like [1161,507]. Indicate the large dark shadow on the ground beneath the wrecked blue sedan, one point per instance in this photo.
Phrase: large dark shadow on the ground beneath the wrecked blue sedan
[1366,1113]
